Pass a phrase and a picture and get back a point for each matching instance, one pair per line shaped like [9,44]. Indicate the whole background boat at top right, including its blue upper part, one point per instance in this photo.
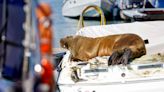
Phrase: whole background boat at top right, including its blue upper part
[148,10]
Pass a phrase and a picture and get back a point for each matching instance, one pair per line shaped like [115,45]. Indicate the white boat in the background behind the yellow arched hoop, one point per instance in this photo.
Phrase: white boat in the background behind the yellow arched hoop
[73,8]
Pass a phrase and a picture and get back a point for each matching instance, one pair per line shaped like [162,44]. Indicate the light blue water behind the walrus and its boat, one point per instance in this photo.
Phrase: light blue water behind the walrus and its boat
[64,26]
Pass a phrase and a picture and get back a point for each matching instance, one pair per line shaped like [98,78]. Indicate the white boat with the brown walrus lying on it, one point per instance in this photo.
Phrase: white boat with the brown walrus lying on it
[145,74]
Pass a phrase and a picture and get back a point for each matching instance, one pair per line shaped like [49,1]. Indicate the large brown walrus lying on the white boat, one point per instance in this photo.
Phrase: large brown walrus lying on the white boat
[120,47]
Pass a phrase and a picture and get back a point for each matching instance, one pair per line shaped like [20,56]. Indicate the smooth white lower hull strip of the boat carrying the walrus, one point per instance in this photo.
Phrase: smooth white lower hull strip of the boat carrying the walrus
[148,86]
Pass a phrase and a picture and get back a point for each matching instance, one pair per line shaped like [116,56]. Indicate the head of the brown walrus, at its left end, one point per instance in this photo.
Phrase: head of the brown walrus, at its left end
[64,42]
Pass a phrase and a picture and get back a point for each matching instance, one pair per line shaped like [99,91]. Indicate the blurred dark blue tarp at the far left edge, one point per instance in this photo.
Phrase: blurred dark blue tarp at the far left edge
[13,56]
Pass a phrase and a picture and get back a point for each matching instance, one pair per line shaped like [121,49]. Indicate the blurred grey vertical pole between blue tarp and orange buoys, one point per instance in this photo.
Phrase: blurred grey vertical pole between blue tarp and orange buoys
[27,82]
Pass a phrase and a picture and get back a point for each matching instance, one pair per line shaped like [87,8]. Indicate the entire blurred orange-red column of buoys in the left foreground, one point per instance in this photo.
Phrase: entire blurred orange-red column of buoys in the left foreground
[44,24]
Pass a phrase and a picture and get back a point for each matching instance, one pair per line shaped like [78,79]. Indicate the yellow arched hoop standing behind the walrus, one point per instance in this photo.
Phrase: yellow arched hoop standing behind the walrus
[81,20]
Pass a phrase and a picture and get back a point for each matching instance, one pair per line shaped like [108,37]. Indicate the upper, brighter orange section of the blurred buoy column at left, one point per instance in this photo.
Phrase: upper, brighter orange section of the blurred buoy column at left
[43,13]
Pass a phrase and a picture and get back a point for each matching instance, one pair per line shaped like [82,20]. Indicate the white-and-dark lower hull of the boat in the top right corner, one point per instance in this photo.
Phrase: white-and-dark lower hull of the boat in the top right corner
[143,14]
